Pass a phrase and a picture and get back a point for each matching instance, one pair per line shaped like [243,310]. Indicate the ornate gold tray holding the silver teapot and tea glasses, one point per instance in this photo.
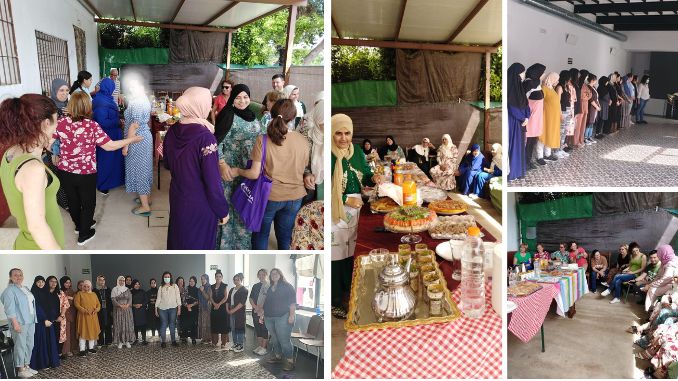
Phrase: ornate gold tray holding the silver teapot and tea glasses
[360,314]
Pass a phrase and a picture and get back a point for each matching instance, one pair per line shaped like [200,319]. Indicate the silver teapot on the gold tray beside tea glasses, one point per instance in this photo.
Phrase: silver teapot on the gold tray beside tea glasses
[394,299]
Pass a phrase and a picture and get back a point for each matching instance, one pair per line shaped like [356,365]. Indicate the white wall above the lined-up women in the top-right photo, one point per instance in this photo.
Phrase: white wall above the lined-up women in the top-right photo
[535,36]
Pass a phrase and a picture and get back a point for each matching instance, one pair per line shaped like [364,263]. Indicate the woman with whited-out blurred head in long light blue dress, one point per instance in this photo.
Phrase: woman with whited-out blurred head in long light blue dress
[139,156]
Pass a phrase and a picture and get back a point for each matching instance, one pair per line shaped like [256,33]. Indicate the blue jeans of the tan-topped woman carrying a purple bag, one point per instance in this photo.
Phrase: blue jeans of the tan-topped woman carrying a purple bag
[282,214]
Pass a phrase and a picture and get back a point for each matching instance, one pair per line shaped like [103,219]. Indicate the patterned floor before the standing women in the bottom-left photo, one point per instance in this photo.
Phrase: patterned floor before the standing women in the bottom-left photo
[186,361]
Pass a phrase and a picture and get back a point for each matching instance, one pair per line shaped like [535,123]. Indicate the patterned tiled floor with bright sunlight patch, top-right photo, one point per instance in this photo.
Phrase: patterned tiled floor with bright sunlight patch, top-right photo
[643,155]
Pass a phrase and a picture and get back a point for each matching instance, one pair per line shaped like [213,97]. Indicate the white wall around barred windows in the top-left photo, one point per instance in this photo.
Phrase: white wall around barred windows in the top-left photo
[54,17]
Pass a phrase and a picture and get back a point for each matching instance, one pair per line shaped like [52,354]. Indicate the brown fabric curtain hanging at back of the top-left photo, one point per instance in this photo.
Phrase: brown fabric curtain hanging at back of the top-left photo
[192,47]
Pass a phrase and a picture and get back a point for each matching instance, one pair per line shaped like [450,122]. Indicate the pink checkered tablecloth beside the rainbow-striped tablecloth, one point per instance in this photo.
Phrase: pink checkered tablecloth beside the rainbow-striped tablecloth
[531,312]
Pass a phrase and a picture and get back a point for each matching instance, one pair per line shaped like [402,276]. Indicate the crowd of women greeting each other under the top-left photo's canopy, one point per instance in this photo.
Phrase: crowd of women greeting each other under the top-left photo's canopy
[208,162]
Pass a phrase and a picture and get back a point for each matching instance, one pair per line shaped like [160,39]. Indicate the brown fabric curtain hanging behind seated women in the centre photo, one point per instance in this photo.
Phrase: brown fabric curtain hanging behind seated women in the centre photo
[425,76]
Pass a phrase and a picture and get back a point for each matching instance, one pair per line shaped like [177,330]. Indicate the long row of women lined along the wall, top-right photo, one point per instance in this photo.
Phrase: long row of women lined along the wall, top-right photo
[552,114]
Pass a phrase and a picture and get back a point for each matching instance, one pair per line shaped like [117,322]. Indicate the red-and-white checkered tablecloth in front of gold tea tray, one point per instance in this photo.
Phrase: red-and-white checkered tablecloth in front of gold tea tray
[464,348]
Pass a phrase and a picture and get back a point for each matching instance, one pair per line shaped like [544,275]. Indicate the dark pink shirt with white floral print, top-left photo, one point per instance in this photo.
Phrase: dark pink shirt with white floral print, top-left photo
[78,145]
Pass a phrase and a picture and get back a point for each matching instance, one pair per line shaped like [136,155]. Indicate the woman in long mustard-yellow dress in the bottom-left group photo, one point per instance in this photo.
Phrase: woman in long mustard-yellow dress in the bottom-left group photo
[87,323]
